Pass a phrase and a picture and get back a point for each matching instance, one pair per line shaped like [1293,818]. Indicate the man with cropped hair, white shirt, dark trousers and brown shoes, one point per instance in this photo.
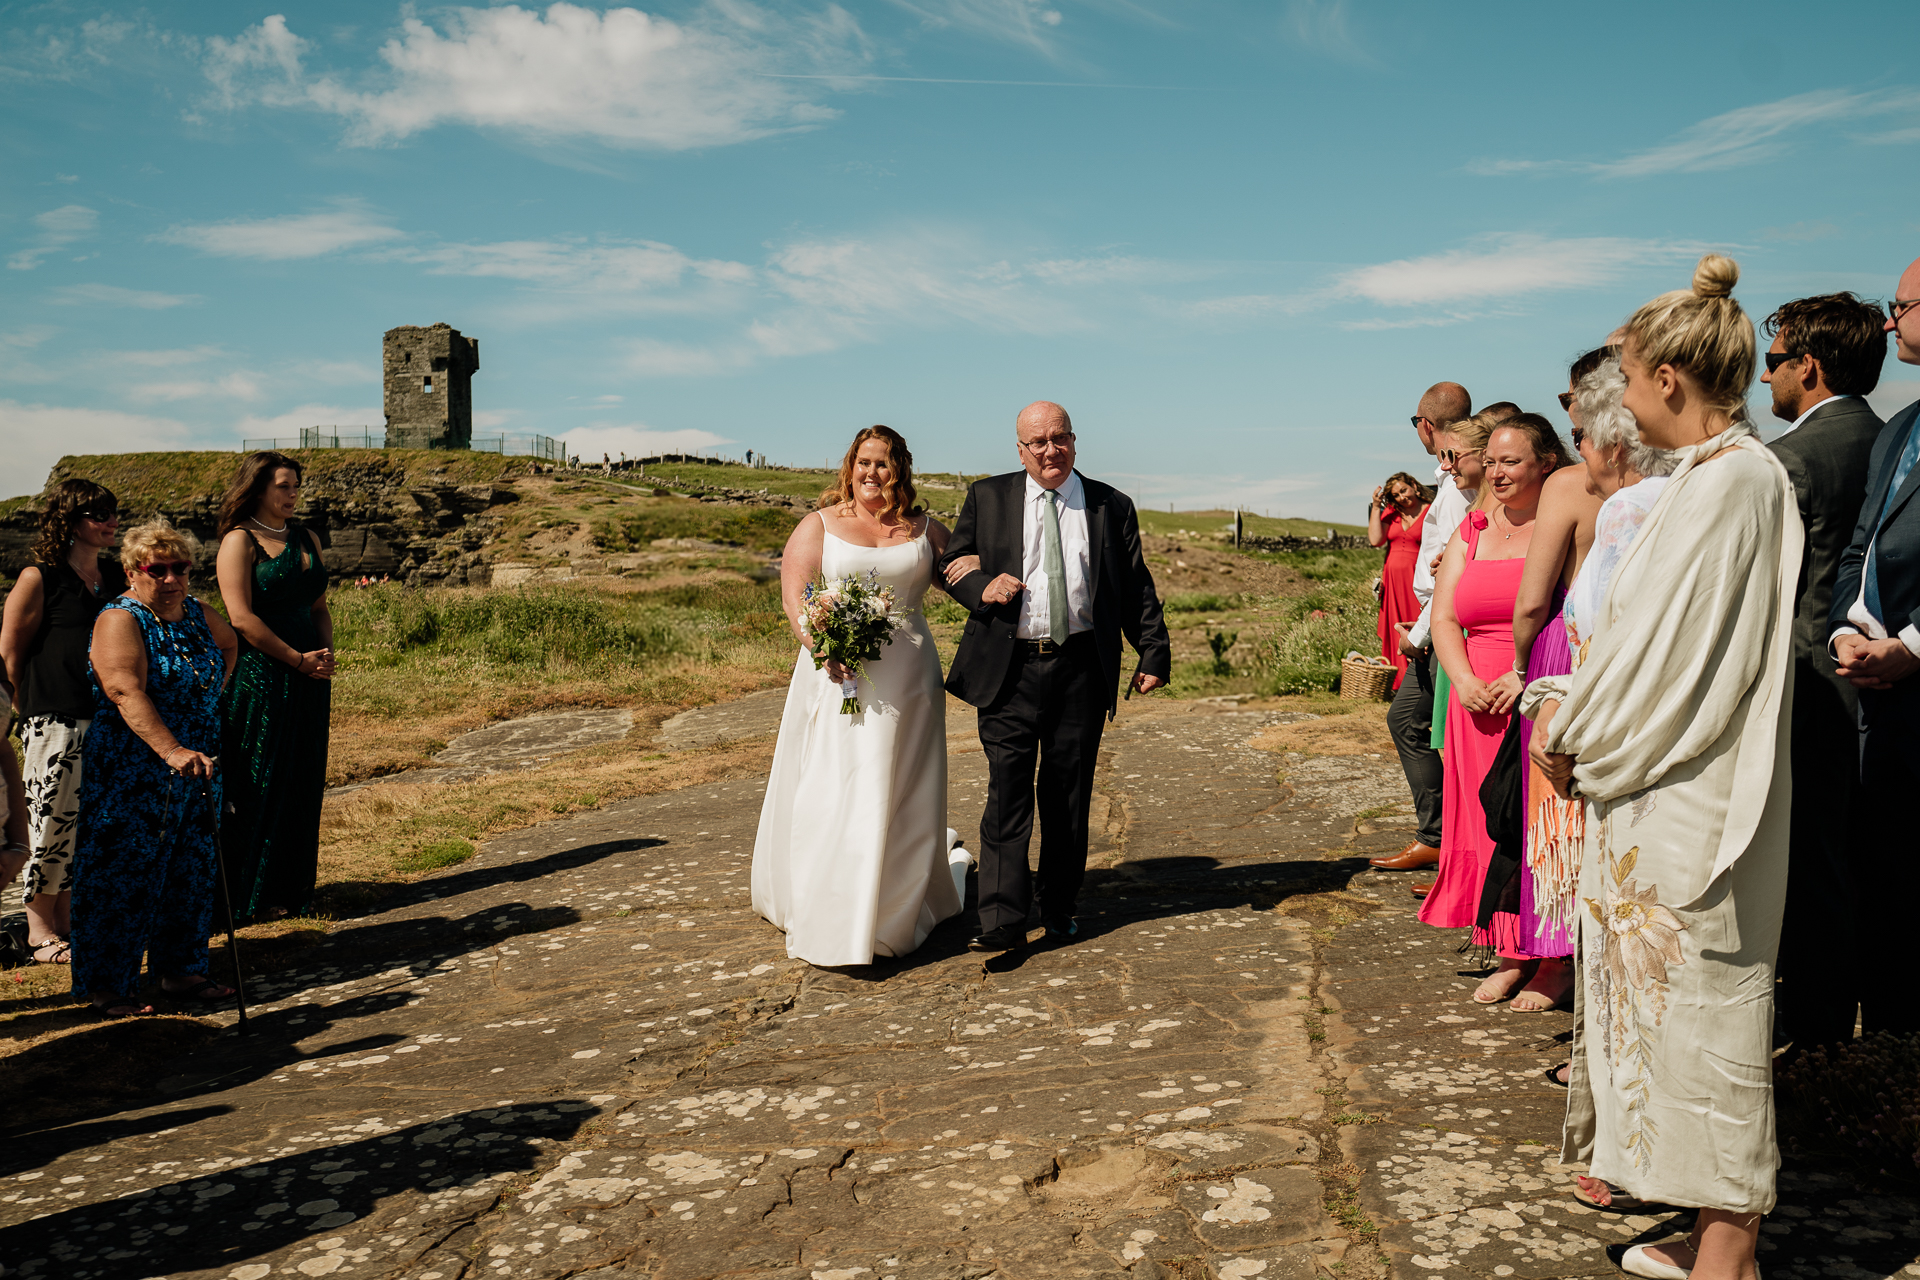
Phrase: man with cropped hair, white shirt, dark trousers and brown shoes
[1410,719]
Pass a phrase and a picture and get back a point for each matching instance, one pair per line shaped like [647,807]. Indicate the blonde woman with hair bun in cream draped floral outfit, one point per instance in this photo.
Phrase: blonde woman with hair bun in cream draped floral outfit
[1673,730]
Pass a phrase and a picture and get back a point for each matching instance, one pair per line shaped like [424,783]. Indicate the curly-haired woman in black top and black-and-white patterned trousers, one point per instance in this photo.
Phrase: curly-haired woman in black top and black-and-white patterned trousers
[43,640]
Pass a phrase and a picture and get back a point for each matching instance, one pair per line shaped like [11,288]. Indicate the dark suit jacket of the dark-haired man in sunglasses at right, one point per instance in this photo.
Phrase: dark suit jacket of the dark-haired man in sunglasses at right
[1827,458]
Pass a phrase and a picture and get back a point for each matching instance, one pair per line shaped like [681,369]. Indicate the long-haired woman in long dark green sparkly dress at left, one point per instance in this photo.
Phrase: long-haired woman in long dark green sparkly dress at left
[277,715]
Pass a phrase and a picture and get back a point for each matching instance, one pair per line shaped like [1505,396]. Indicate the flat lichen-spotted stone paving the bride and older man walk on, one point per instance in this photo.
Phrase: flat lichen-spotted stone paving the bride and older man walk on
[581,1055]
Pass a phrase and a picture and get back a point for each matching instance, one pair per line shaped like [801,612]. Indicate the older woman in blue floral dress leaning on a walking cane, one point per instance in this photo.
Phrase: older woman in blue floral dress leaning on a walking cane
[151,792]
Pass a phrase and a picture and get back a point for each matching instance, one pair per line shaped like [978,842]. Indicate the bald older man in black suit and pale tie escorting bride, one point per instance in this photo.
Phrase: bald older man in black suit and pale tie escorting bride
[1049,563]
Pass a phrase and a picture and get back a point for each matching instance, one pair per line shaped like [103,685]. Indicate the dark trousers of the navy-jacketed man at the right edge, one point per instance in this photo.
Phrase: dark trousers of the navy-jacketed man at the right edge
[1879,959]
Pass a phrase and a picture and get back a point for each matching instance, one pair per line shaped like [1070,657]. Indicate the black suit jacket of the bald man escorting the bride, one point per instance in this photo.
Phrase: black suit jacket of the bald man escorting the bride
[1124,600]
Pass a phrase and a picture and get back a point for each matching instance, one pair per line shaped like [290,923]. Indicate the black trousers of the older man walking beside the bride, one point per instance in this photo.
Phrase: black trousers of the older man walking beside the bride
[1045,726]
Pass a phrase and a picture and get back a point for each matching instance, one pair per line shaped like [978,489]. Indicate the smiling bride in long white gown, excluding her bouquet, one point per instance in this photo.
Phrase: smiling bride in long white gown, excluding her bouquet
[853,849]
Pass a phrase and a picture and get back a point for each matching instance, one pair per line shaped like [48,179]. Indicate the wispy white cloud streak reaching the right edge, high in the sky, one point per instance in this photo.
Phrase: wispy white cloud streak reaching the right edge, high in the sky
[1742,137]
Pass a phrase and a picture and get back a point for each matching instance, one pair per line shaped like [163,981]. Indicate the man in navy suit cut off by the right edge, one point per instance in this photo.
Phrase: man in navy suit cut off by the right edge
[1877,646]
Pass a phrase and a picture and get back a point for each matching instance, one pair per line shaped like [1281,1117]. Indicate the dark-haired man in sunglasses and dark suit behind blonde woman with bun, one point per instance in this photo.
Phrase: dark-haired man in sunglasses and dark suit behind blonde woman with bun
[1827,354]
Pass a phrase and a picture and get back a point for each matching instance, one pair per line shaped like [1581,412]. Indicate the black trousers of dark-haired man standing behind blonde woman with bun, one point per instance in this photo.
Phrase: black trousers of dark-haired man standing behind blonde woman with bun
[1817,995]
